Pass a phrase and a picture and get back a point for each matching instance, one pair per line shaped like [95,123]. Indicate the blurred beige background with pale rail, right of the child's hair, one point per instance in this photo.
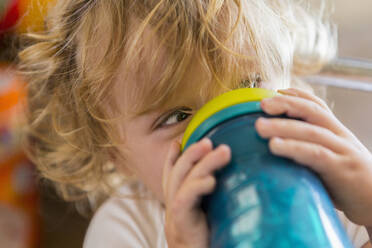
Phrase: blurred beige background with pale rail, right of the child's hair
[351,96]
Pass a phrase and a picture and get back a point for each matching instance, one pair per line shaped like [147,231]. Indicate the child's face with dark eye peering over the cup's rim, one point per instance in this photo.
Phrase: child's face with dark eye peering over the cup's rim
[147,137]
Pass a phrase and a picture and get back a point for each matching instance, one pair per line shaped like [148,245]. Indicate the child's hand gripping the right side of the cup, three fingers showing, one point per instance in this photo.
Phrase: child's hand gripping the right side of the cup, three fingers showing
[322,143]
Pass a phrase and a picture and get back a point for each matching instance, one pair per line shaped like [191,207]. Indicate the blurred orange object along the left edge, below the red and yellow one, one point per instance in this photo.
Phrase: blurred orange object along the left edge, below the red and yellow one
[19,220]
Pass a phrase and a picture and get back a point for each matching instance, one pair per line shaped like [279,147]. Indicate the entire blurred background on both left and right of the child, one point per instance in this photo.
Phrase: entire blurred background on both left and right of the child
[32,215]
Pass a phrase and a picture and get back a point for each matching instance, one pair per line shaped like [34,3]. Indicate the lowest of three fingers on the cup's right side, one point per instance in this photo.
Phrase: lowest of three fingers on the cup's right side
[316,157]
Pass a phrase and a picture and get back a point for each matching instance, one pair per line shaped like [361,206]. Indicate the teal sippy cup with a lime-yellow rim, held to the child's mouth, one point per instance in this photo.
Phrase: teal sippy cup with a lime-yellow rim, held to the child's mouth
[261,200]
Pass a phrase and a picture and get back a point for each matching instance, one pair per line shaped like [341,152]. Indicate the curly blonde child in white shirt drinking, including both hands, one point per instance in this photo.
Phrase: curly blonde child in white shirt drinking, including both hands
[114,83]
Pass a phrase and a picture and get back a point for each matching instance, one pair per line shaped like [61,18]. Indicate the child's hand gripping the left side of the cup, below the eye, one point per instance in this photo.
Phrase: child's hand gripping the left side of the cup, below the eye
[186,178]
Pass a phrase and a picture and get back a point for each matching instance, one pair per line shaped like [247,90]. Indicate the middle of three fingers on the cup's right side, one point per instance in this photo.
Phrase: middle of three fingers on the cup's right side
[300,130]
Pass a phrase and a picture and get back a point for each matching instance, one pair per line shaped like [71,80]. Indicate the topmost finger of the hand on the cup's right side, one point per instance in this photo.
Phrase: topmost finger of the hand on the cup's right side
[304,109]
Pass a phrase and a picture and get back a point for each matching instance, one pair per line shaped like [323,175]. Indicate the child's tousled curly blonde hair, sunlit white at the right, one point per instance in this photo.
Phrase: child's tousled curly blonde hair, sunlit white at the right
[72,132]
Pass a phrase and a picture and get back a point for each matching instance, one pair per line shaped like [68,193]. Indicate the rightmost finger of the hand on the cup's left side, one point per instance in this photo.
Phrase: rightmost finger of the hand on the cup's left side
[213,161]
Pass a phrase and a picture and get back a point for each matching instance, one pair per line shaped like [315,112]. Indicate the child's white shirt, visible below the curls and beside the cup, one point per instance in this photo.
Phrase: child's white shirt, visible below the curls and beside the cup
[137,222]
